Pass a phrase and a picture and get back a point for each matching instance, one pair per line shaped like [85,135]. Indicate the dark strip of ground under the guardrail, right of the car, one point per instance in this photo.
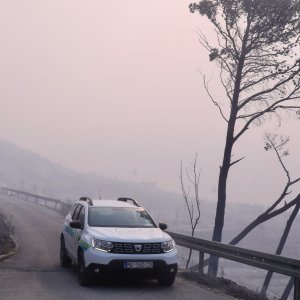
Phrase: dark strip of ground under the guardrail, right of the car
[221,285]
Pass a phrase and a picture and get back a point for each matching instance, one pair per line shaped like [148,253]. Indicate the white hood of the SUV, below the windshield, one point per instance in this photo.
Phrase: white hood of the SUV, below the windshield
[129,235]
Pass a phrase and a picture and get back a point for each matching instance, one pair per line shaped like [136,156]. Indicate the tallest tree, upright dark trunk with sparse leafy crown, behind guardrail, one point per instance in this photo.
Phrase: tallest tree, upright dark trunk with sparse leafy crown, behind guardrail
[256,52]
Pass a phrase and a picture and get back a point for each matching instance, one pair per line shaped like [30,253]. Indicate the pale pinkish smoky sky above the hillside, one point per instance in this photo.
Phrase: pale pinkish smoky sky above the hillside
[113,88]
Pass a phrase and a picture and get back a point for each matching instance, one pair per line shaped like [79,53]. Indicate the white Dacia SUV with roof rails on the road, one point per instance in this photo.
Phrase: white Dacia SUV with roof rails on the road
[114,237]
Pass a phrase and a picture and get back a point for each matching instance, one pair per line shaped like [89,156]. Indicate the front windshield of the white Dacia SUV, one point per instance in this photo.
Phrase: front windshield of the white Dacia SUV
[119,217]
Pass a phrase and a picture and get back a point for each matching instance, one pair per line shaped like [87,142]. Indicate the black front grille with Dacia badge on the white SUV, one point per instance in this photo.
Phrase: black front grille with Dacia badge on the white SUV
[137,248]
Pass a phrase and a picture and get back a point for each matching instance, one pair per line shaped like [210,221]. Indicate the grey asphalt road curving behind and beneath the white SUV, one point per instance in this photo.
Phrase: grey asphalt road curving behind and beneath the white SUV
[34,271]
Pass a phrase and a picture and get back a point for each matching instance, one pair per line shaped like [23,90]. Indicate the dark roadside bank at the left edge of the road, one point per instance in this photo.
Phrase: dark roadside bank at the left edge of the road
[8,245]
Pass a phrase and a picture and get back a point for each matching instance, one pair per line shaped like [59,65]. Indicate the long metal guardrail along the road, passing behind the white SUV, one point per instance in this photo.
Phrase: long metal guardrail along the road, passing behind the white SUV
[275,263]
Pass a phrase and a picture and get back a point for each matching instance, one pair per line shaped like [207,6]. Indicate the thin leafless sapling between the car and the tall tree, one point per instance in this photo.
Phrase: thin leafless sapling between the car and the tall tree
[193,205]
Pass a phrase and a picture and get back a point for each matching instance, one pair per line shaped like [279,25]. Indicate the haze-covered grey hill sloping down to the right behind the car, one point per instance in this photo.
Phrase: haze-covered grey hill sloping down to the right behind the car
[25,170]
